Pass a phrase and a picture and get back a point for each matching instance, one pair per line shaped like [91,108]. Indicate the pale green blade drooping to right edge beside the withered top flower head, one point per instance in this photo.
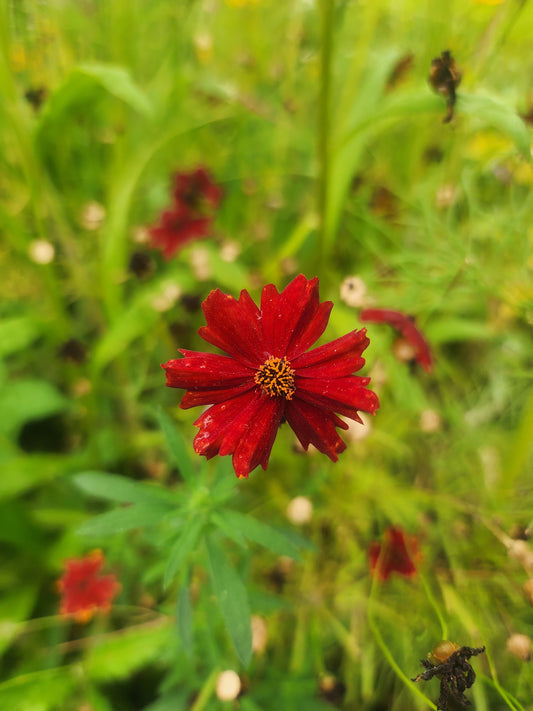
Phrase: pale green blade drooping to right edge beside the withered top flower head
[497,115]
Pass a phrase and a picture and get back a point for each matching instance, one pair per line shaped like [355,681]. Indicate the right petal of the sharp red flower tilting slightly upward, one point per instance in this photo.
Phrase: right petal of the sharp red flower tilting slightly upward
[333,360]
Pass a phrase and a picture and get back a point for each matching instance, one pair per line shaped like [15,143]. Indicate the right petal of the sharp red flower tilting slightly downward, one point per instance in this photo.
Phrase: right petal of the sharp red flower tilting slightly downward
[343,395]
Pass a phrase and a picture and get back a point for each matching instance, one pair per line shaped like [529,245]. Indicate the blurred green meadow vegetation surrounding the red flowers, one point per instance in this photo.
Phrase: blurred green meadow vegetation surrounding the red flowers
[318,121]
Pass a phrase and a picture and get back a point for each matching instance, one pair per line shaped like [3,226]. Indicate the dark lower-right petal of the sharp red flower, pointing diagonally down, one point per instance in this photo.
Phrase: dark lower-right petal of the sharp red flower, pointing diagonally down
[316,426]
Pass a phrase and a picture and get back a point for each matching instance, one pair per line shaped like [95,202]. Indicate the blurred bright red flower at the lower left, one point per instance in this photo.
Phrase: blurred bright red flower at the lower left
[83,591]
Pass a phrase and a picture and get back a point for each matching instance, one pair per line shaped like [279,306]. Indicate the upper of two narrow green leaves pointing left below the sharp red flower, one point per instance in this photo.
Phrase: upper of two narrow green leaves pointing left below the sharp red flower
[118,488]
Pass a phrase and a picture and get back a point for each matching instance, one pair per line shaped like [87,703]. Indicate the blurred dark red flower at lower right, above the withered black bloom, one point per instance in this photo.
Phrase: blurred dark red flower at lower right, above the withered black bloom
[397,554]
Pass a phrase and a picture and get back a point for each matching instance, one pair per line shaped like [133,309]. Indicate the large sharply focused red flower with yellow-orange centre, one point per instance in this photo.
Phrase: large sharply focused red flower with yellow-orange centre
[267,377]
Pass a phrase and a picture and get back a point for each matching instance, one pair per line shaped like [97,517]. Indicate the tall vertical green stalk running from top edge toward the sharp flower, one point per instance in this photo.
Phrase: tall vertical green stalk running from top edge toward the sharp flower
[326,9]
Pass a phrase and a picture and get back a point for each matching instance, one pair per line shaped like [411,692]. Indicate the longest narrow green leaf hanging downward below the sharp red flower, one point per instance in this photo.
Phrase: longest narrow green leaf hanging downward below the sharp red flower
[233,601]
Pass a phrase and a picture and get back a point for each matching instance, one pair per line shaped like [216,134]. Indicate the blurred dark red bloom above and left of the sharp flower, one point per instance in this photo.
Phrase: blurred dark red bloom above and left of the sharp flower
[189,217]
